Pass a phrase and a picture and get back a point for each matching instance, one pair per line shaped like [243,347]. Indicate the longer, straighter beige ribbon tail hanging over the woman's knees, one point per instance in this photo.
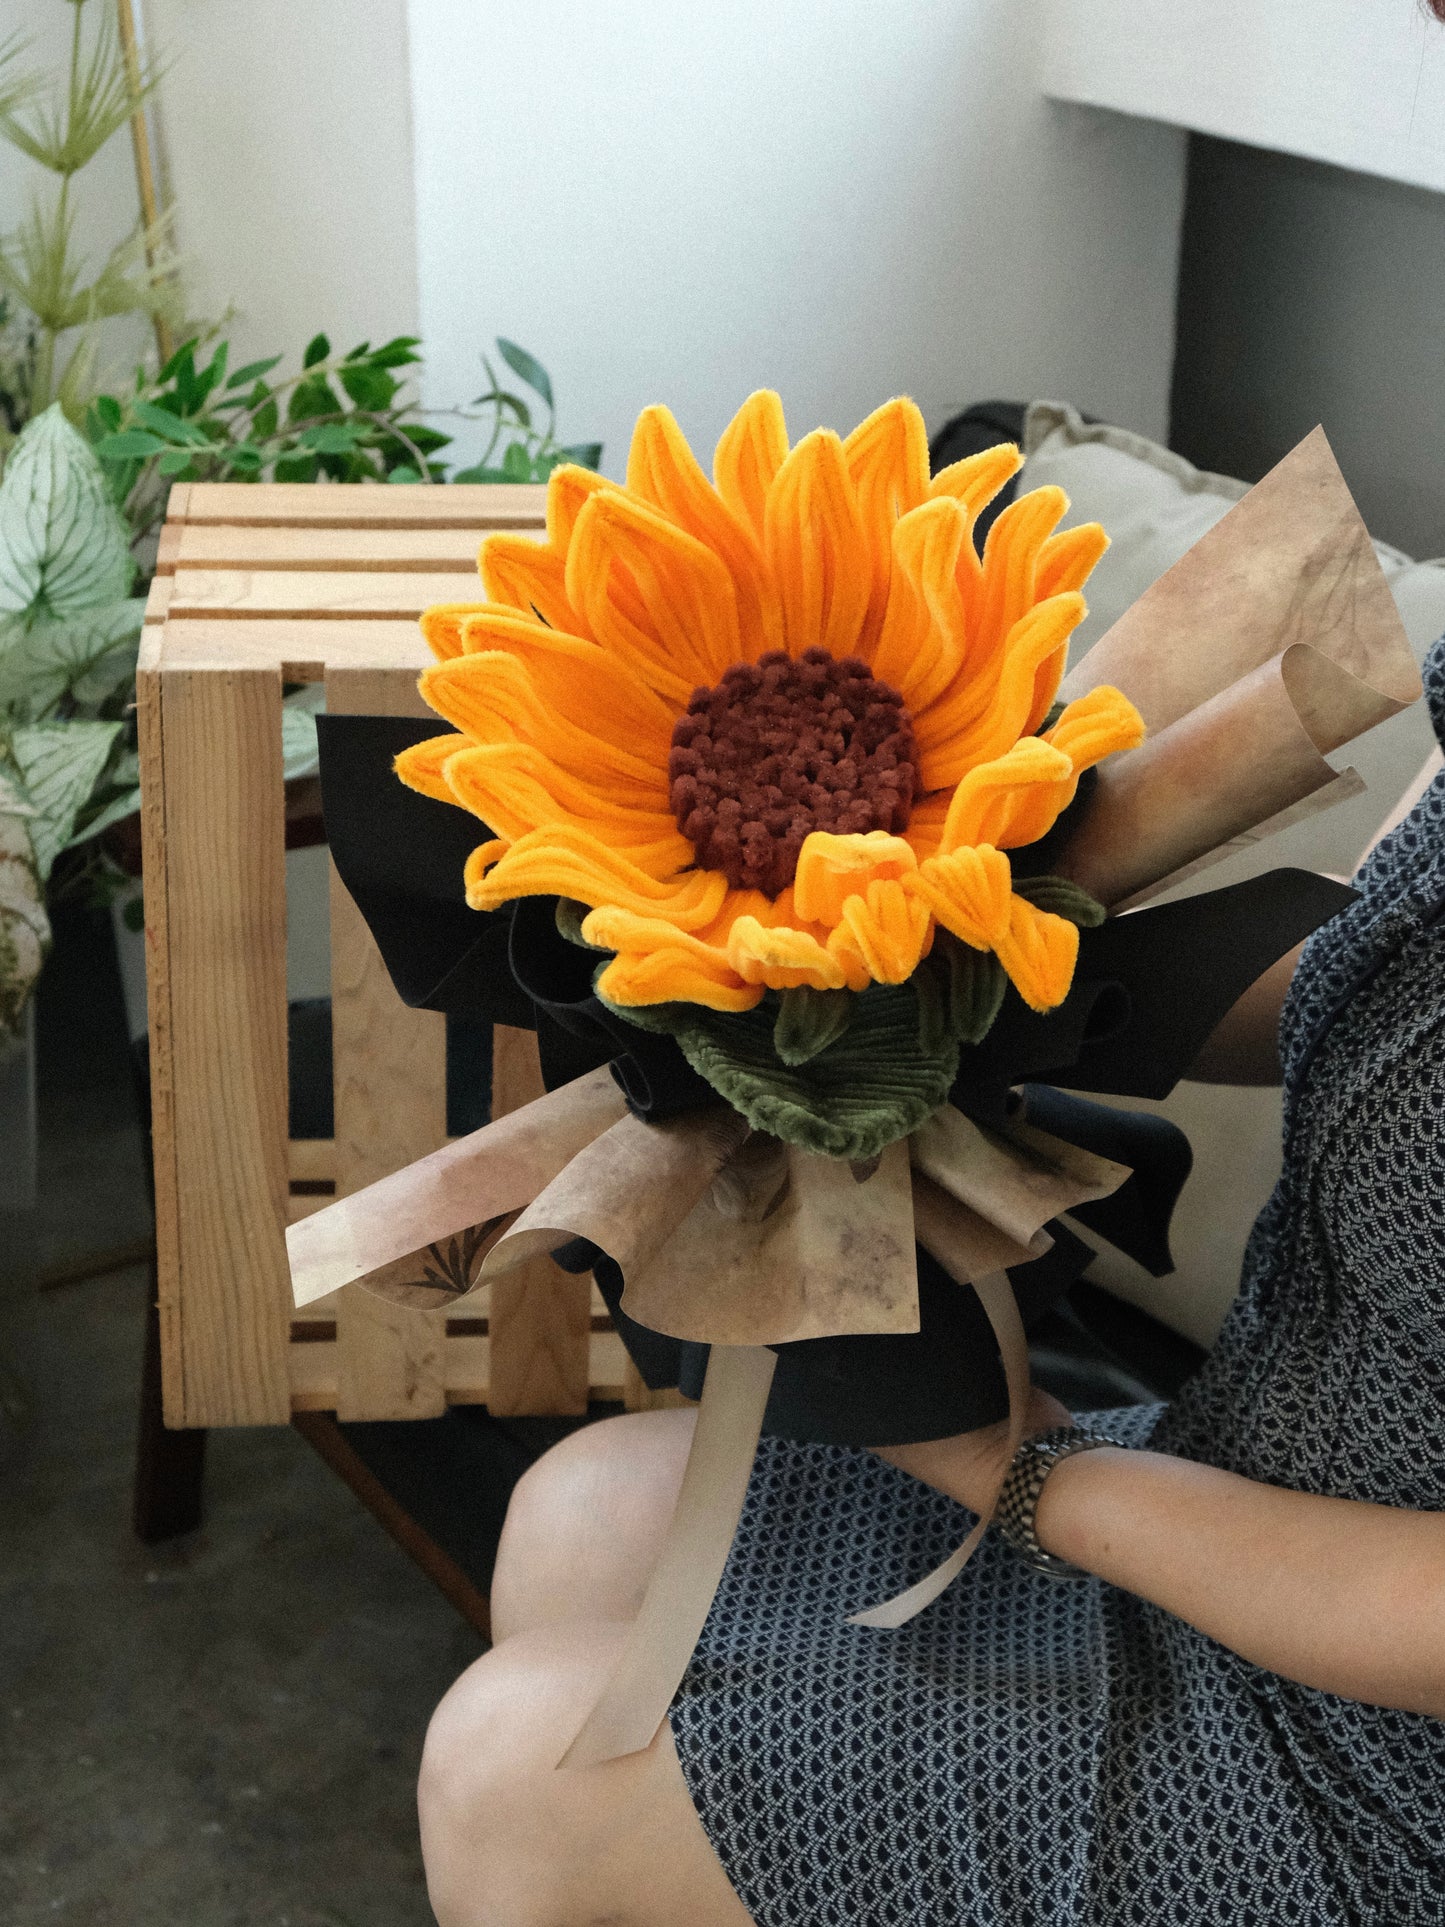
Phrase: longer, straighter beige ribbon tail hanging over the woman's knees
[635,1703]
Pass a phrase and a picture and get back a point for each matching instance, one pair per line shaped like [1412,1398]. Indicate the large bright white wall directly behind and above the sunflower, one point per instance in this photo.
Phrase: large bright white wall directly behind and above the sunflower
[831,198]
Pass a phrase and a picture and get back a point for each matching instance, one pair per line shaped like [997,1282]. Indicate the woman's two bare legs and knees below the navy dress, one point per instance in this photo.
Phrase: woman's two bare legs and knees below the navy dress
[508,1839]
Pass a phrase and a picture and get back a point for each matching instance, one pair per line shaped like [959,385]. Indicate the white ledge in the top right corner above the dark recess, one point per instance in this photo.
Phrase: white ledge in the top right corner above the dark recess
[1359,84]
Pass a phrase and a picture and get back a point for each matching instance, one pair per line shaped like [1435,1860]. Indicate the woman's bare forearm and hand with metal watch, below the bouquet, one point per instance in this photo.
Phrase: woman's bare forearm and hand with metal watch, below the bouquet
[1328,1593]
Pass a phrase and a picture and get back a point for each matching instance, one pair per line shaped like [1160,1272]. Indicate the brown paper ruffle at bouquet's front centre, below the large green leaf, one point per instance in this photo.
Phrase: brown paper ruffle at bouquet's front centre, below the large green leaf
[835,1255]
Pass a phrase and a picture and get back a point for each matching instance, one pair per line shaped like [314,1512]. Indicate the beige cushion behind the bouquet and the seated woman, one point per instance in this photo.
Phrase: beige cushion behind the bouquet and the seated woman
[1155,506]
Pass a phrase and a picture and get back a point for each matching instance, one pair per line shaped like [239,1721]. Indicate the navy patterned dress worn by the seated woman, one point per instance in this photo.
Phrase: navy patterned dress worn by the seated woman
[1032,1753]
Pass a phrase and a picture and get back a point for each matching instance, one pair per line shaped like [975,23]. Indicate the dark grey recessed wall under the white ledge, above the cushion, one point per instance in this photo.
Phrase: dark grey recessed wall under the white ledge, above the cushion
[1309,294]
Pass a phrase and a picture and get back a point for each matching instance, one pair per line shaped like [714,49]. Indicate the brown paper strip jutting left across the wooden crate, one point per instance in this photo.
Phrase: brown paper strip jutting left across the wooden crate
[454,1194]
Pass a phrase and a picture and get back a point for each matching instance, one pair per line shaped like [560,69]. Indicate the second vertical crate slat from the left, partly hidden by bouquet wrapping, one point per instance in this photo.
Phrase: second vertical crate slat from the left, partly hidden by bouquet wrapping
[390,1109]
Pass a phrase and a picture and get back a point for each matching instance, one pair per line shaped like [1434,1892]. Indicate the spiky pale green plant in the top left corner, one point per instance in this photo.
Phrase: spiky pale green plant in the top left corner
[59,300]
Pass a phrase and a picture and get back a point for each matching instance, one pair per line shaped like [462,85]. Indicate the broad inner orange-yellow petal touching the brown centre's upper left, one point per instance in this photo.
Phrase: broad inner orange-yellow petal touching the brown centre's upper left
[652,596]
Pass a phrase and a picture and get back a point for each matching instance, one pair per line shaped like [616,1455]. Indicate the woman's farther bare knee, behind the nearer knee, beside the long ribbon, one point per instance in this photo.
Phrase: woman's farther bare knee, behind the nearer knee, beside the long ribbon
[587,1523]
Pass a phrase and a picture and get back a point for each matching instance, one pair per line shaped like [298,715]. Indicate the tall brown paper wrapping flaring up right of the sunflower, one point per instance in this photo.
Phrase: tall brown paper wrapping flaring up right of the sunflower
[1273,643]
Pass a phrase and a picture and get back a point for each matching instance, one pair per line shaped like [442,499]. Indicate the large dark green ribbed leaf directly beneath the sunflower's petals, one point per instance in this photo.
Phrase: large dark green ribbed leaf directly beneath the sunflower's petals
[862,1094]
